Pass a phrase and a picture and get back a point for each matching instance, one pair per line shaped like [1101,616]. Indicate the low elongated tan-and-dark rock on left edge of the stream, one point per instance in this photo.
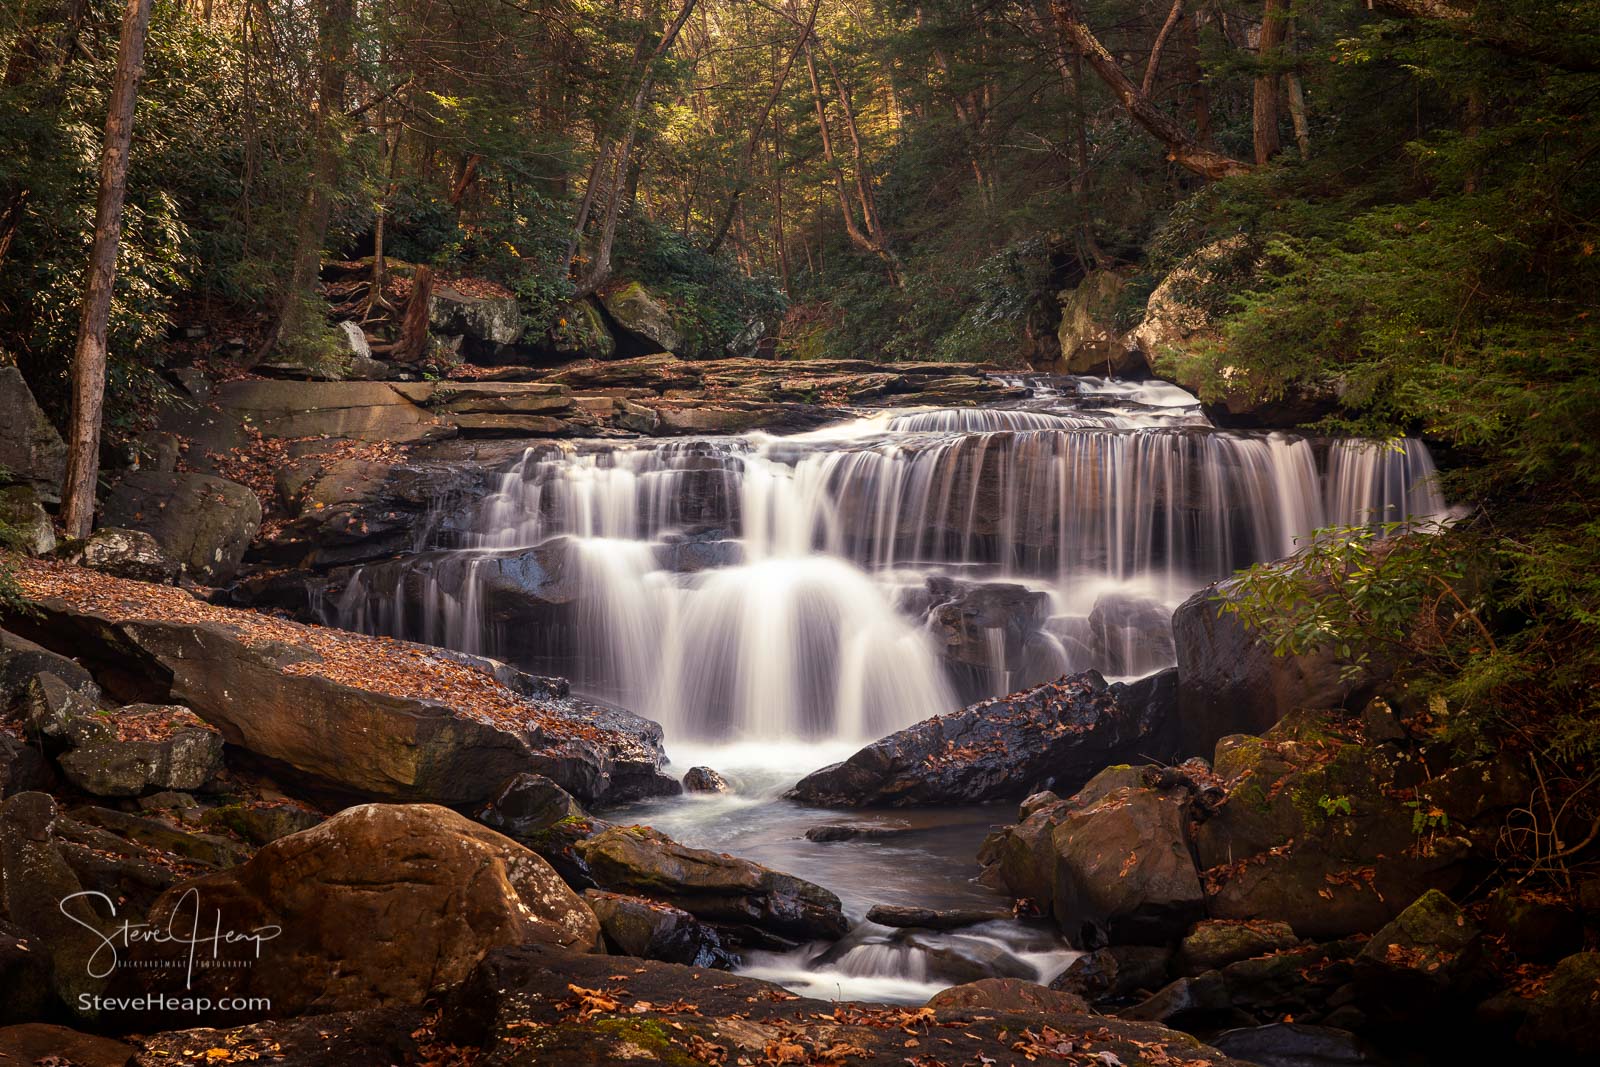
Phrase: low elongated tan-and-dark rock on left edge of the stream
[713,887]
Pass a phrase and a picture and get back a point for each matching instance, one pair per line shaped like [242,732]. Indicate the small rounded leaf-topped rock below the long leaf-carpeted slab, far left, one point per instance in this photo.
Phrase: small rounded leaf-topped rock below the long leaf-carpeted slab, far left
[146,748]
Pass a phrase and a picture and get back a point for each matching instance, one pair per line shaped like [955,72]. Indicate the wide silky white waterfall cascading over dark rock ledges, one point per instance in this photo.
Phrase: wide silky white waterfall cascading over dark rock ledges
[850,581]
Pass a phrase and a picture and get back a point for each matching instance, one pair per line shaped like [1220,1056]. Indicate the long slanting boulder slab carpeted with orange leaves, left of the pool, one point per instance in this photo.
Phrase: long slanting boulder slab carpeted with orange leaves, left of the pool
[353,716]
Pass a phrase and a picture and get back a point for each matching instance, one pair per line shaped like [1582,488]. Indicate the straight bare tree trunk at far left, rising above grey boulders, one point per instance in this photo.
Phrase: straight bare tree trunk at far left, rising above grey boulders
[89,358]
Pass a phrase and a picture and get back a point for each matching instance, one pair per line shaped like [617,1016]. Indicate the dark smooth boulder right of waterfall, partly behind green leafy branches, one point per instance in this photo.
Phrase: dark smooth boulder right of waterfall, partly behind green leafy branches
[1231,681]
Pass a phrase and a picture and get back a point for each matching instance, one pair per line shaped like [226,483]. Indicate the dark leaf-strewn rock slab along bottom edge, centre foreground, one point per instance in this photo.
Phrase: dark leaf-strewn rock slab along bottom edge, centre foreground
[516,988]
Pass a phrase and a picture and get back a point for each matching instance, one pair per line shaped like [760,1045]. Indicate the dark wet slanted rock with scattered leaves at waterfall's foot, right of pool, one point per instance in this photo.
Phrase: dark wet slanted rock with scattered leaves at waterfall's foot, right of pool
[1052,737]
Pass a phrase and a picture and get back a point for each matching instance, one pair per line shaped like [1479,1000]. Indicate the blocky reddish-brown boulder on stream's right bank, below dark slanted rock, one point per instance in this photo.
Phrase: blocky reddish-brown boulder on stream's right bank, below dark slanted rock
[1124,871]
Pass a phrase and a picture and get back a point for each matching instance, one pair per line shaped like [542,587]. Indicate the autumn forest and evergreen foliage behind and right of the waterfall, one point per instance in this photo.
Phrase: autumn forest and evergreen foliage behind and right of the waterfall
[1401,201]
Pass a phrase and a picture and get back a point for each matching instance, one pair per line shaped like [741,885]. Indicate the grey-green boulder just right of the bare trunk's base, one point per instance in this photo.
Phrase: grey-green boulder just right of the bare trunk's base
[202,522]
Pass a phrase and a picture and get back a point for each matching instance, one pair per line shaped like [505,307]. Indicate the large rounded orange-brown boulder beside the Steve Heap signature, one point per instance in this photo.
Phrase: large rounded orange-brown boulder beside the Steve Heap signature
[380,906]
